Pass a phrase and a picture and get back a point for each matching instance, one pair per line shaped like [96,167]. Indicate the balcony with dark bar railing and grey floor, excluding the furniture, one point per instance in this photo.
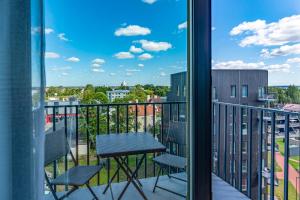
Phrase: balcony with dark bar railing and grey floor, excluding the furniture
[249,171]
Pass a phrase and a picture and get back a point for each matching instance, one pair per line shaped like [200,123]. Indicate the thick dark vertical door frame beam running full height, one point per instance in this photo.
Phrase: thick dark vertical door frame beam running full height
[200,98]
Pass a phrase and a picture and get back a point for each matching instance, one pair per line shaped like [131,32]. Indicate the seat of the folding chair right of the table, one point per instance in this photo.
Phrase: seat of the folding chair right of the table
[171,160]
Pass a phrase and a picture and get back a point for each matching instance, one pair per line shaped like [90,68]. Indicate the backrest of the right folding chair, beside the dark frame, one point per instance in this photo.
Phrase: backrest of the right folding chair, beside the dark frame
[176,132]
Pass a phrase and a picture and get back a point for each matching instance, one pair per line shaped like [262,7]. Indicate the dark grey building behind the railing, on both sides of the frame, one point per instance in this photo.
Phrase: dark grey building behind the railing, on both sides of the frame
[246,87]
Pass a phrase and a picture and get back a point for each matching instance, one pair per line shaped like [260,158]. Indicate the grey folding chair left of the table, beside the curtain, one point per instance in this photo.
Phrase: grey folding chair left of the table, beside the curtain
[56,147]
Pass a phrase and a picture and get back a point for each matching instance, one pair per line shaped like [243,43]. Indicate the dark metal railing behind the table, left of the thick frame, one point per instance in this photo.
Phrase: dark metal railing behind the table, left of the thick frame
[83,122]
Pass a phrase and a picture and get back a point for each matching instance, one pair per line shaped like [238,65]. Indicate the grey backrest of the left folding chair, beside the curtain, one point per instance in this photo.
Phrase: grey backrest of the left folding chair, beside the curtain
[56,146]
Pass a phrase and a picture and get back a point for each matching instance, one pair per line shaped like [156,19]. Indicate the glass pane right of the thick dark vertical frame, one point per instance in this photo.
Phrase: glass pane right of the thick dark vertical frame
[246,49]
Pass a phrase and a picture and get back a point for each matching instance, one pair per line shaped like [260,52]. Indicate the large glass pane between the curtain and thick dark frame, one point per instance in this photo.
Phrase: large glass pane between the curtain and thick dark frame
[121,68]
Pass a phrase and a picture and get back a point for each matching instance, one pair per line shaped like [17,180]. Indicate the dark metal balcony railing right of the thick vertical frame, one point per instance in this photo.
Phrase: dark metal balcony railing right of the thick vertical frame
[249,154]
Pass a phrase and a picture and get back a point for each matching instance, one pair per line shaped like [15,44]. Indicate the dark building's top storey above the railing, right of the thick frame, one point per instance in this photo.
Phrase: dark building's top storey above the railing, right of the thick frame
[241,86]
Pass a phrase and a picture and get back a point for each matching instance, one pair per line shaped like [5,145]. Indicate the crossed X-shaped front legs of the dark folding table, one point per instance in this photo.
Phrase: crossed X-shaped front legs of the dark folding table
[130,176]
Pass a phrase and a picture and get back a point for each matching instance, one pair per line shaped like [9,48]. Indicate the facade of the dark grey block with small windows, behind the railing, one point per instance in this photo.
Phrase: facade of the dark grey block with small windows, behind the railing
[245,87]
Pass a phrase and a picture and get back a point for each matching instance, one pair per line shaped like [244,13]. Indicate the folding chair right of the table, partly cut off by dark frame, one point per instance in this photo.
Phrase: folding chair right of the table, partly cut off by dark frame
[175,135]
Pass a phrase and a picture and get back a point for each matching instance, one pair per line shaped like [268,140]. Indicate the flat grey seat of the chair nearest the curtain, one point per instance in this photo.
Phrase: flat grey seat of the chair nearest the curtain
[77,176]
